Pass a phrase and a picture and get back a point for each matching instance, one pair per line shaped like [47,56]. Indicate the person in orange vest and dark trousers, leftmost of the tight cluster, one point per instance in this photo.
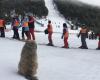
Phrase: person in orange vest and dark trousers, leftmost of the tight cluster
[15,26]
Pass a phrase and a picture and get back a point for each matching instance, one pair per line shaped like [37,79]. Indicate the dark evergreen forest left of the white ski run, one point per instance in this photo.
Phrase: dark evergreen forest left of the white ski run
[36,7]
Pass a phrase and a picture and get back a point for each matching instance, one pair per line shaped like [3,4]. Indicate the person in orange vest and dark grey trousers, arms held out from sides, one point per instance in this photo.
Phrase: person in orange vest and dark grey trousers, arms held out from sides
[84,35]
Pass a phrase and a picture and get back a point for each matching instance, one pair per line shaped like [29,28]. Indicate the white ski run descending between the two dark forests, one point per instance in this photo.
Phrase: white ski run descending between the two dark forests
[53,15]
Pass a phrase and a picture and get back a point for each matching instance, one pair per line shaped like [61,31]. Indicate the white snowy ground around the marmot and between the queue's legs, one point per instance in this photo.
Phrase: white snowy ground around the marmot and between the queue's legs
[54,63]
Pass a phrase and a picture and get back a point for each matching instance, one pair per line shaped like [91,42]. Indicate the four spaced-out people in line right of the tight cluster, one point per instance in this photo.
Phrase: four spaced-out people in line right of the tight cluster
[83,33]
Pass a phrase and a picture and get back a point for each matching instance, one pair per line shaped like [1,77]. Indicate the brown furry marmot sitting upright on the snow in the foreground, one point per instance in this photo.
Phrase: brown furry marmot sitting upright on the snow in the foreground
[28,62]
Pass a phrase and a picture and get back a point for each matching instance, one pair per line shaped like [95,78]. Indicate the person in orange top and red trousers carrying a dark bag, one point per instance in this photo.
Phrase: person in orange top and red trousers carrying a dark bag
[50,31]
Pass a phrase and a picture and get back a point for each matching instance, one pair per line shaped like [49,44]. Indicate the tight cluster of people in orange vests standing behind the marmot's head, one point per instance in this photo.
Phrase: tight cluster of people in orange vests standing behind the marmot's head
[27,24]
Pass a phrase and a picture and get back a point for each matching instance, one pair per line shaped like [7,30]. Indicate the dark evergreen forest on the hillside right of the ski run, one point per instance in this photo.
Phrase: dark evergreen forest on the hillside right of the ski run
[83,13]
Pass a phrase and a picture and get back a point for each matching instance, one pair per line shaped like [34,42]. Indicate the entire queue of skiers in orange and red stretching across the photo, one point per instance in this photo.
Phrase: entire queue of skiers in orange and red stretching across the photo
[27,24]
